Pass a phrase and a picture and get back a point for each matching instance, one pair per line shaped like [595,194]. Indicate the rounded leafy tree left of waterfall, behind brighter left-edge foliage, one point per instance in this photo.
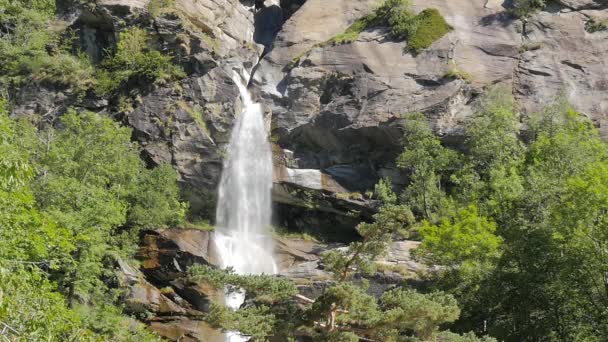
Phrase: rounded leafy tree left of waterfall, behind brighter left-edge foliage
[93,183]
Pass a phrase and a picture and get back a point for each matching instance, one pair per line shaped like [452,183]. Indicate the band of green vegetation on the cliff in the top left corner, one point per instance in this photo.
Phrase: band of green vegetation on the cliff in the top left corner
[36,47]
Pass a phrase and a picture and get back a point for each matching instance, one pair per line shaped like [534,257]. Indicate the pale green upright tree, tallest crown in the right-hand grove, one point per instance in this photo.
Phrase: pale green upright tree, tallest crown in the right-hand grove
[491,175]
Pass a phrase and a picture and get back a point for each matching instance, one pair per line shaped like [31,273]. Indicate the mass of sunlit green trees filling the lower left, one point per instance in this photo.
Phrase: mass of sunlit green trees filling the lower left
[72,202]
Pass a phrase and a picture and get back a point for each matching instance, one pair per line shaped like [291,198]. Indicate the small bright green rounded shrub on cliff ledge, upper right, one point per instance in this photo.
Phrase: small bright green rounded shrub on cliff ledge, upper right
[430,27]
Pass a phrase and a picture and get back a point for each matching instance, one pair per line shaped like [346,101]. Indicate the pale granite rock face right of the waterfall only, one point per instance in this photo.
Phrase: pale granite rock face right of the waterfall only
[337,108]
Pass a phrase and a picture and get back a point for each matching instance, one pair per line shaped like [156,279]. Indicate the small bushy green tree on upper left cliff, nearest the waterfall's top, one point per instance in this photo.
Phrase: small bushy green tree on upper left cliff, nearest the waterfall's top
[135,61]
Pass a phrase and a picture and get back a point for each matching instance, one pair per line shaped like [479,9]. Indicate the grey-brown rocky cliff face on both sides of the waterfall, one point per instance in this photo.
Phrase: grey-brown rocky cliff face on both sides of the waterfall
[334,111]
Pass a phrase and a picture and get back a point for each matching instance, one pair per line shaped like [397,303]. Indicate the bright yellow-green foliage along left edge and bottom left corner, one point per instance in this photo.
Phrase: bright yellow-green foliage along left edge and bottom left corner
[32,246]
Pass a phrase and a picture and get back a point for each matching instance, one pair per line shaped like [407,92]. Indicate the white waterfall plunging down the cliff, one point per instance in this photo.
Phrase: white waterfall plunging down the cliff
[244,206]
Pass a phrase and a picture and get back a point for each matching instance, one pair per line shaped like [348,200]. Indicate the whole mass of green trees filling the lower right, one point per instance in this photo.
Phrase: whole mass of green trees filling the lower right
[513,219]
